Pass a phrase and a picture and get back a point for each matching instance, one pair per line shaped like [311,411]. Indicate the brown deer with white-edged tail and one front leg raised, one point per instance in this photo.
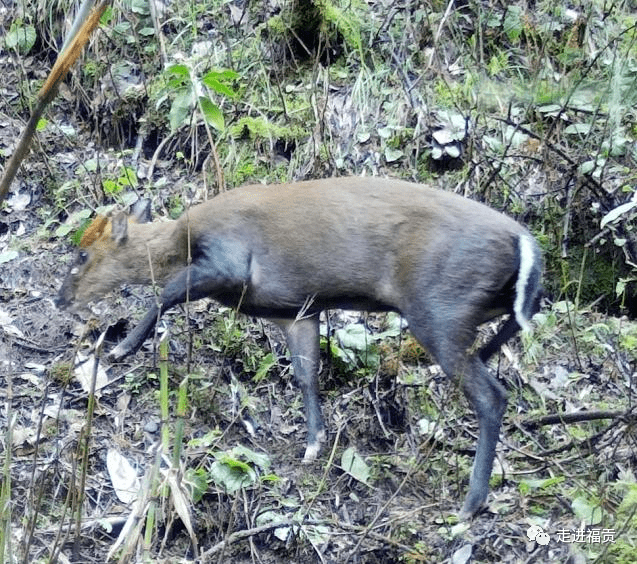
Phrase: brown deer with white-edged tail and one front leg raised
[286,252]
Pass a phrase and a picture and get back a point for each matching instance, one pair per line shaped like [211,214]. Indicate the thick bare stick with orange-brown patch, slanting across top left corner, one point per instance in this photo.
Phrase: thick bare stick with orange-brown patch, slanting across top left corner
[47,93]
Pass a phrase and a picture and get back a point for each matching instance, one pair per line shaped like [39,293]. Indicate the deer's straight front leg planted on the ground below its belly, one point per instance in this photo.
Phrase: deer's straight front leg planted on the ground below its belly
[302,336]
